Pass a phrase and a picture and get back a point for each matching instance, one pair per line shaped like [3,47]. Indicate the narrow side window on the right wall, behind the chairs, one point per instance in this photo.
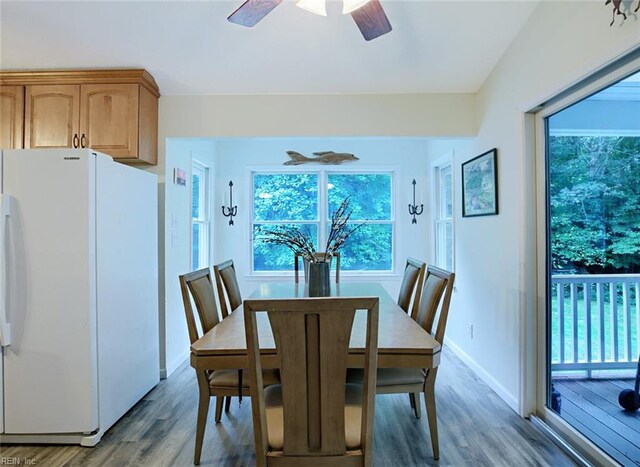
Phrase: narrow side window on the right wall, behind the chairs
[444,216]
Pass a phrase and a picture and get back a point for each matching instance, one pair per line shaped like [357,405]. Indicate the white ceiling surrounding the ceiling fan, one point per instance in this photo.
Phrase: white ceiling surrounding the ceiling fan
[190,48]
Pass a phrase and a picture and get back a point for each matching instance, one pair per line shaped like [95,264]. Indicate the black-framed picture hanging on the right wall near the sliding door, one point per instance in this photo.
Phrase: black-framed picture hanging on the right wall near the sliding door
[480,185]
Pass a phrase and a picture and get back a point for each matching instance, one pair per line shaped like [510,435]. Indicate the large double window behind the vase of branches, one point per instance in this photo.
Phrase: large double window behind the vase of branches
[308,199]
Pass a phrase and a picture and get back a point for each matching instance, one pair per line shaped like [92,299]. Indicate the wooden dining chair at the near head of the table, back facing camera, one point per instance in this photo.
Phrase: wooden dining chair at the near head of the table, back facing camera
[306,420]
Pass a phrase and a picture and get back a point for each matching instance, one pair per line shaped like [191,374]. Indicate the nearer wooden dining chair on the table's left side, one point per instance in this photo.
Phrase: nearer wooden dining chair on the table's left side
[198,286]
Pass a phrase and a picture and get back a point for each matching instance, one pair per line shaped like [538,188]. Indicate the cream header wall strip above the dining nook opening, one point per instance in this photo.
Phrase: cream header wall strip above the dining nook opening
[435,115]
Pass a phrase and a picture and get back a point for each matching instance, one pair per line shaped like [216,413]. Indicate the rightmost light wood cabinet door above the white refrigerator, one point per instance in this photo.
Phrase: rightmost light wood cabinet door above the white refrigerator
[109,119]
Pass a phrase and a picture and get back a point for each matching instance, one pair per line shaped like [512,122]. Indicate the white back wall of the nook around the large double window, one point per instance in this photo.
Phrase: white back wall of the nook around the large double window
[237,157]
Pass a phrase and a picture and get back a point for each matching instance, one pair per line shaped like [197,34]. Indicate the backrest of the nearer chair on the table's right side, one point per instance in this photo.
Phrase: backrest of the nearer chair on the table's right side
[434,304]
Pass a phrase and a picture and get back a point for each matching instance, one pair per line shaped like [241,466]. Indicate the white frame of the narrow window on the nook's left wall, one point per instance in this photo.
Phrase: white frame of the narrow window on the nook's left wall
[203,221]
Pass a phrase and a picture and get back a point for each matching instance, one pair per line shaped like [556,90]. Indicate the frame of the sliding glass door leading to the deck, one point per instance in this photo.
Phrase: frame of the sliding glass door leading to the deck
[600,80]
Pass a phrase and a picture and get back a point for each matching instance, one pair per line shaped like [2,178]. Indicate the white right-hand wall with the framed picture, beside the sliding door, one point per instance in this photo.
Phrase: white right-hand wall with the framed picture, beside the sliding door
[562,43]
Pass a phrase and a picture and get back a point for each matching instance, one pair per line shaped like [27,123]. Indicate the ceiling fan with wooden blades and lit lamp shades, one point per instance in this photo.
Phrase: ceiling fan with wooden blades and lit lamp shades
[368,14]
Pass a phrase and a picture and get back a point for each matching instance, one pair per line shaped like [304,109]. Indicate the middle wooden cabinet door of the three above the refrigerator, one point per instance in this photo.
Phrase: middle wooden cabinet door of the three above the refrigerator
[52,116]
